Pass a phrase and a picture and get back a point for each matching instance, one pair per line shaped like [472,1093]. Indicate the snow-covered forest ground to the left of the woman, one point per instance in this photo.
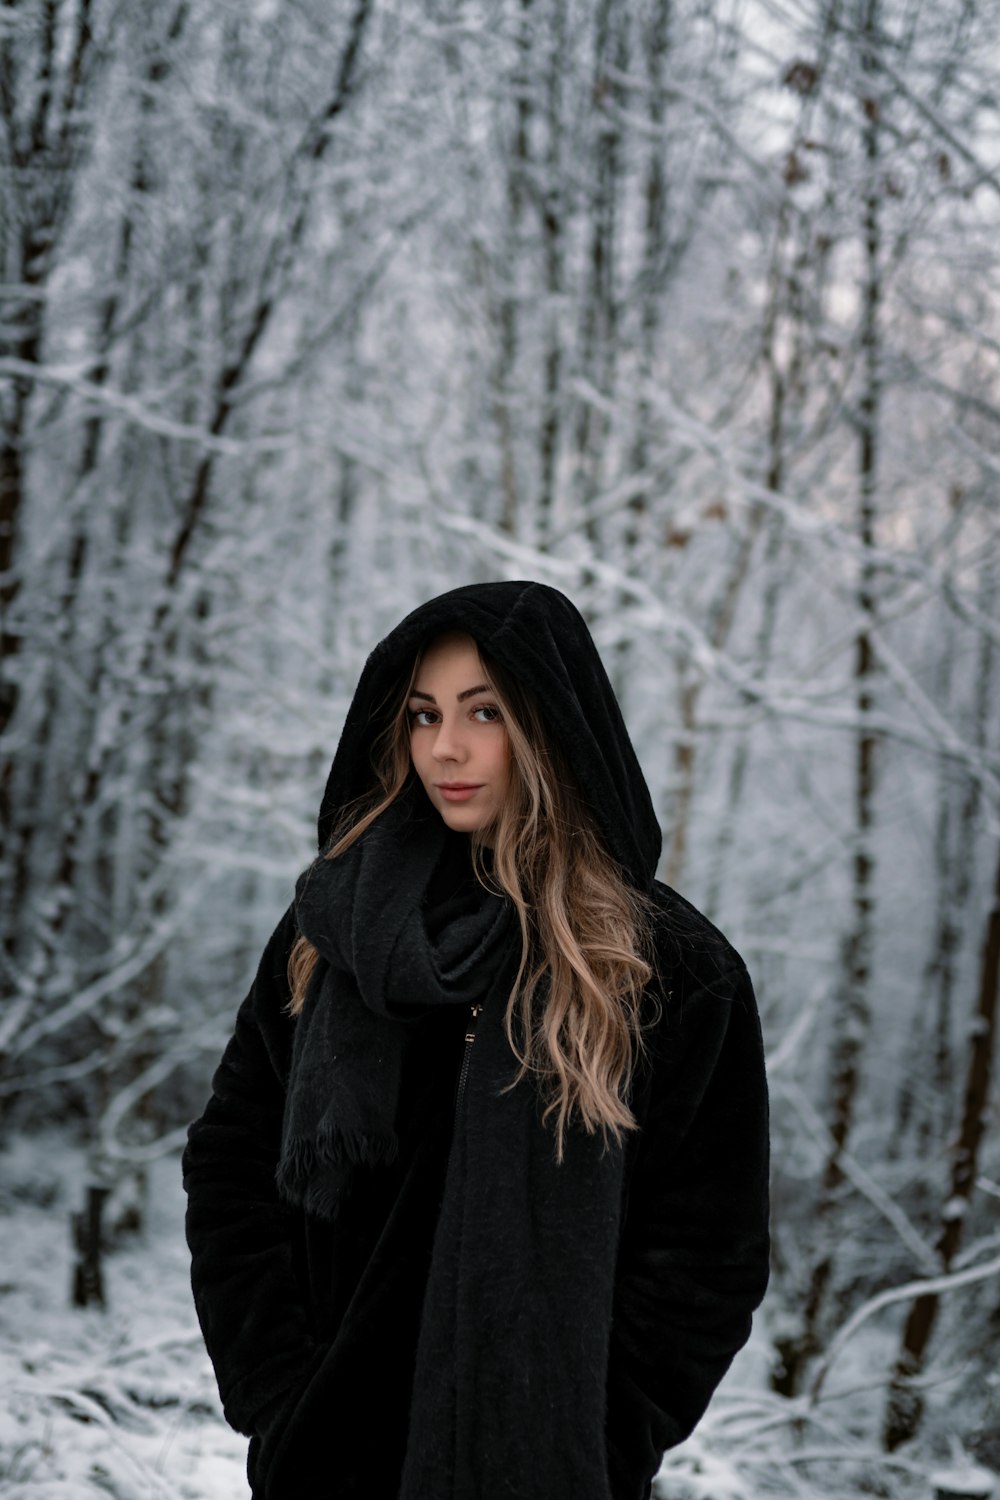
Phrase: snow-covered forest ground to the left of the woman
[119,1403]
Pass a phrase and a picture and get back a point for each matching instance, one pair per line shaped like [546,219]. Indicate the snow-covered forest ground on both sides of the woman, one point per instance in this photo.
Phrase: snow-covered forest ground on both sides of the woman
[124,1403]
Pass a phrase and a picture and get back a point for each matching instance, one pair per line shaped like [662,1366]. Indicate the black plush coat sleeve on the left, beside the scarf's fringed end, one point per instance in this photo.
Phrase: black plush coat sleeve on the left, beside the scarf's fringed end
[250,1294]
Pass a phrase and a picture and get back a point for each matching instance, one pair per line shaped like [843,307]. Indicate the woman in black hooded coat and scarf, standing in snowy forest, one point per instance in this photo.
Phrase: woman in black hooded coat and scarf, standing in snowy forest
[478,1208]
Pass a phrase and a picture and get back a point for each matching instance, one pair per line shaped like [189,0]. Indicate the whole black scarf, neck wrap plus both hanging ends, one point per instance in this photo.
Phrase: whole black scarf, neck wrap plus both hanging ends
[509,1390]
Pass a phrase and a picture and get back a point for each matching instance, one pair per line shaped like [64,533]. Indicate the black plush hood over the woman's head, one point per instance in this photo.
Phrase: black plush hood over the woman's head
[540,637]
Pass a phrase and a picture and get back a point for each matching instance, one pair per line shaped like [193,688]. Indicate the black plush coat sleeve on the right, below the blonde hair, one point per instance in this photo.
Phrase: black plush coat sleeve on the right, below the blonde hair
[693,1262]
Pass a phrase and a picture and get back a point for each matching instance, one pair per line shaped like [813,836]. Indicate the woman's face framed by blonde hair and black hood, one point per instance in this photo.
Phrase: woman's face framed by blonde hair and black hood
[458,742]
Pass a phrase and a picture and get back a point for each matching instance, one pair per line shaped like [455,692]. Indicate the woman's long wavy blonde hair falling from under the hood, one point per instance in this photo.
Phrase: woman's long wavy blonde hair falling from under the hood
[587,934]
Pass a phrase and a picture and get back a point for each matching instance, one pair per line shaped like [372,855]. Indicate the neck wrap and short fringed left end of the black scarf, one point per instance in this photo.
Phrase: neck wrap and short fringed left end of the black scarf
[401,925]
